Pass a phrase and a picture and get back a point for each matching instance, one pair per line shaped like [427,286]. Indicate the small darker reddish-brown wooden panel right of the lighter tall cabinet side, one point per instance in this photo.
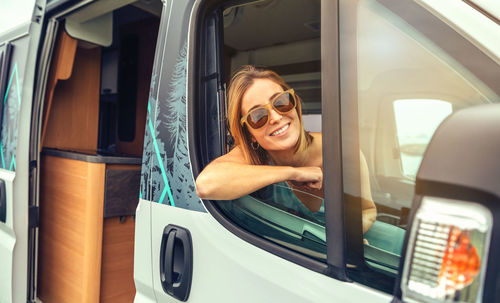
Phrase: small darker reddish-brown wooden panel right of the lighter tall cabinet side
[117,278]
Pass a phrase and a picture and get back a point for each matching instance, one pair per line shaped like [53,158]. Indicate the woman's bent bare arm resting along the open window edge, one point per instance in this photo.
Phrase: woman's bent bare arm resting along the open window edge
[231,176]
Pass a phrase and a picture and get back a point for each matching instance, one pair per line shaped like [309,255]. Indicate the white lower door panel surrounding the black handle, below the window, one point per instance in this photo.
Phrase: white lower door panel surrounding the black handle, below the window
[226,267]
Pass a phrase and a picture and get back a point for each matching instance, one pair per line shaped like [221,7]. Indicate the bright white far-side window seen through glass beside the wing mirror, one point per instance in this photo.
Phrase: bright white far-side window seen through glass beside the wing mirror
[425,113]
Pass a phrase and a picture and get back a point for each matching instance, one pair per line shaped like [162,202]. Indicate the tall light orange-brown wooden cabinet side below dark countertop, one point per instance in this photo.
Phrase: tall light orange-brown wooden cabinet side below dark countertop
[70,234]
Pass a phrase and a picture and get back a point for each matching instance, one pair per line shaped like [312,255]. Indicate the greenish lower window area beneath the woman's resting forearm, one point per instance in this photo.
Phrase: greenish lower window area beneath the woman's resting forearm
[277,213]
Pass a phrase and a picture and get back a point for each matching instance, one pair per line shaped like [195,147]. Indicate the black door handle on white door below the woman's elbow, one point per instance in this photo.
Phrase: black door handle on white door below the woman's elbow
[176,261]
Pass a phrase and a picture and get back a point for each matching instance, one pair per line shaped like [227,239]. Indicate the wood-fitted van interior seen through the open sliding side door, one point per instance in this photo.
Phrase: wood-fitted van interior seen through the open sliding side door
[91,145]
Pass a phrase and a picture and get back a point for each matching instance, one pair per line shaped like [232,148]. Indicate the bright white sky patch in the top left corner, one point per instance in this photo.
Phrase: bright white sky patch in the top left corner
[14,12]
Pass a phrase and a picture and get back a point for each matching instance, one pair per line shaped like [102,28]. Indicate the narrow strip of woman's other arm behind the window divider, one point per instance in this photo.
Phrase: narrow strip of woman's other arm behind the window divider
[369,211]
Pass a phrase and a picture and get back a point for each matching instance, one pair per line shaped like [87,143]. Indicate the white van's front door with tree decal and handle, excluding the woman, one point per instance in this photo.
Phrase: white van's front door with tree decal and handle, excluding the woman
[249,249]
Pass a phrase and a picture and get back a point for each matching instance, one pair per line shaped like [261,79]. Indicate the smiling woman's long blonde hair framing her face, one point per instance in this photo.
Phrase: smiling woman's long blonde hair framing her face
[240,83]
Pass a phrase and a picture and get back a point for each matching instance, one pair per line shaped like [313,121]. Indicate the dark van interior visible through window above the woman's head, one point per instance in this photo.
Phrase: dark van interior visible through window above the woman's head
[260,34]
